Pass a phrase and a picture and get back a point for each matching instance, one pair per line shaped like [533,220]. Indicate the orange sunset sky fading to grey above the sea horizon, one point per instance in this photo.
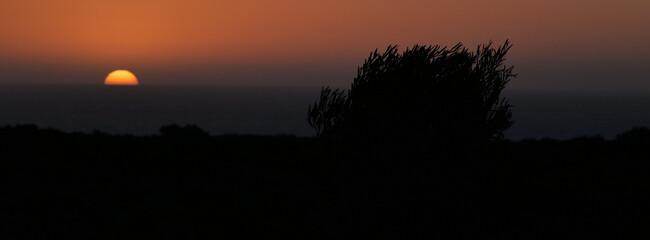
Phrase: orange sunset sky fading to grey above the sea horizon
[558,44]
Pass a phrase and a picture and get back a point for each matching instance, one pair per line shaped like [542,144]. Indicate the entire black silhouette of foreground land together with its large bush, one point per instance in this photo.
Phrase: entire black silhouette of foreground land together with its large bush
[363,176]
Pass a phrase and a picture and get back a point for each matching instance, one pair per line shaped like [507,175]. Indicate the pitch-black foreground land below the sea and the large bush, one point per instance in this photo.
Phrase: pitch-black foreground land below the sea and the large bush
[184,183]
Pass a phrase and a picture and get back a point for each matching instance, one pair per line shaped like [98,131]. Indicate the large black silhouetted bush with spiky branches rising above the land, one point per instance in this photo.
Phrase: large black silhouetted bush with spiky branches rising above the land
[427,94]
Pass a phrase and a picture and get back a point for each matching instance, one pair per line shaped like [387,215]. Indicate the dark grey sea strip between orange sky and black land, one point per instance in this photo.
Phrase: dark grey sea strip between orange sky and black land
[142,110]
